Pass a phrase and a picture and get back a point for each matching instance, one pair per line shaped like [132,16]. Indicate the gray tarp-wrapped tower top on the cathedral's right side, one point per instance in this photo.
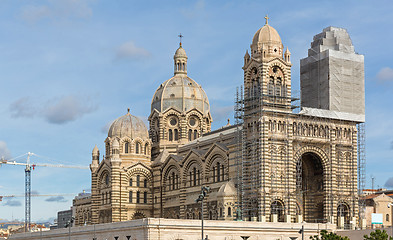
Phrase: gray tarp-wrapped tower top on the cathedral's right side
[332,76]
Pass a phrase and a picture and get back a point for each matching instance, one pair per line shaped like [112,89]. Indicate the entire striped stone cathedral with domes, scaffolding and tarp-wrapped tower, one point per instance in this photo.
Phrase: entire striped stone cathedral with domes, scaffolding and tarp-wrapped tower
[278,162]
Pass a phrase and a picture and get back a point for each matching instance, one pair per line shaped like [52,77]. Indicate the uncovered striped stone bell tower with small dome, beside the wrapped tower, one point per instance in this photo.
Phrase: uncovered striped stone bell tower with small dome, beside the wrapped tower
[267,73]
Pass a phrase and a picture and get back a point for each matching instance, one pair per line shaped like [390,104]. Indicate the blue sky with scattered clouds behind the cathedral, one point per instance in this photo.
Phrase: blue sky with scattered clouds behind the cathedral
[68,68]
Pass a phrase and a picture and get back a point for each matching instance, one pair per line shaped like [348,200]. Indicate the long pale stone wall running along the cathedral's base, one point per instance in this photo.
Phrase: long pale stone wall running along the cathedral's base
[170,229]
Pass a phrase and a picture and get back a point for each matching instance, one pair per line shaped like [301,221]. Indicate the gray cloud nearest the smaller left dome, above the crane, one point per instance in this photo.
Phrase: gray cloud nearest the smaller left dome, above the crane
[67,109]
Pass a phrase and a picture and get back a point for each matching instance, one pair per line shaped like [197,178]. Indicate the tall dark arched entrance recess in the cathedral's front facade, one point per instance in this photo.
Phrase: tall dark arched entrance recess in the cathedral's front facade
[310,187]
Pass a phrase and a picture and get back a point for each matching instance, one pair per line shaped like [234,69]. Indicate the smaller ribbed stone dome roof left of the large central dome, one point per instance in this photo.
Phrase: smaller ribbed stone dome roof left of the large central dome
[128,126]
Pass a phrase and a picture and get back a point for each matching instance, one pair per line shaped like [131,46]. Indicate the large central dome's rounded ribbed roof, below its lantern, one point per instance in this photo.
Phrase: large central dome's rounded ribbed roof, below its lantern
[181,93]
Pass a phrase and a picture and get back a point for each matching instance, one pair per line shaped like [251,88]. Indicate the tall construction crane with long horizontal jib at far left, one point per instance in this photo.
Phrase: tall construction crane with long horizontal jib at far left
[28,167]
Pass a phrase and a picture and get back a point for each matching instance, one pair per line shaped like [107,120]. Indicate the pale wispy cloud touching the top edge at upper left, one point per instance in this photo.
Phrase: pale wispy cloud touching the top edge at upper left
[57,9]
